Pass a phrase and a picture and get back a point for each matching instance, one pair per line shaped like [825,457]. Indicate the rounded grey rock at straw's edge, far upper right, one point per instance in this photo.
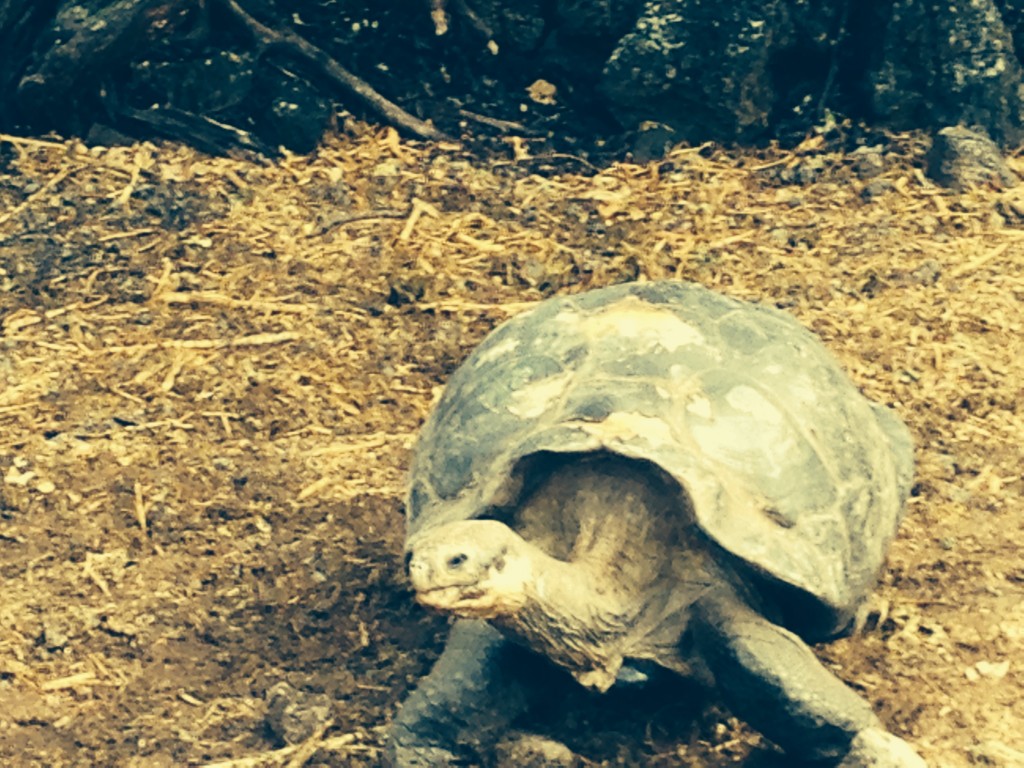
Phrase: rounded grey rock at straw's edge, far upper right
[961,158]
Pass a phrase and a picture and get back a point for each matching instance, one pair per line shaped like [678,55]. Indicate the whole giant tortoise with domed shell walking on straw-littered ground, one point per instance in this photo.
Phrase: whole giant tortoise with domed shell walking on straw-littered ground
[652,475]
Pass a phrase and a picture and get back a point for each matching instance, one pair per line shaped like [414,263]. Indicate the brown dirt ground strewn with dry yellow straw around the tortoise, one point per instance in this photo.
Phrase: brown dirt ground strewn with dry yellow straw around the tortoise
[212,372]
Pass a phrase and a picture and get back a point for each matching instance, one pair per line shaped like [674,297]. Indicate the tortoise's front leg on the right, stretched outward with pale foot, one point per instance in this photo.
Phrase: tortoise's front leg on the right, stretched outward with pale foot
[771,678]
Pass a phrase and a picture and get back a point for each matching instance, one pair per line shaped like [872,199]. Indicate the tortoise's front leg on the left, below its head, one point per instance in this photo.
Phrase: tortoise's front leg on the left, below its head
[481,684]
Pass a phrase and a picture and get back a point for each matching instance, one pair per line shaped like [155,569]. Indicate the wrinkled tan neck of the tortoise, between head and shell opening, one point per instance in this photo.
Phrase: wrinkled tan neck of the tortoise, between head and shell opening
[617,566]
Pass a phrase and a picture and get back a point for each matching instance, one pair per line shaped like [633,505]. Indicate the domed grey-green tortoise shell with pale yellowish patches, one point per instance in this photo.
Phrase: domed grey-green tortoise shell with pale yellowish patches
[787,464]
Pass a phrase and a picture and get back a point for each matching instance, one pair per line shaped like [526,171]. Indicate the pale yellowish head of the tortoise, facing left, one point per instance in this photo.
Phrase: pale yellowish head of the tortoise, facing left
[471,569]
